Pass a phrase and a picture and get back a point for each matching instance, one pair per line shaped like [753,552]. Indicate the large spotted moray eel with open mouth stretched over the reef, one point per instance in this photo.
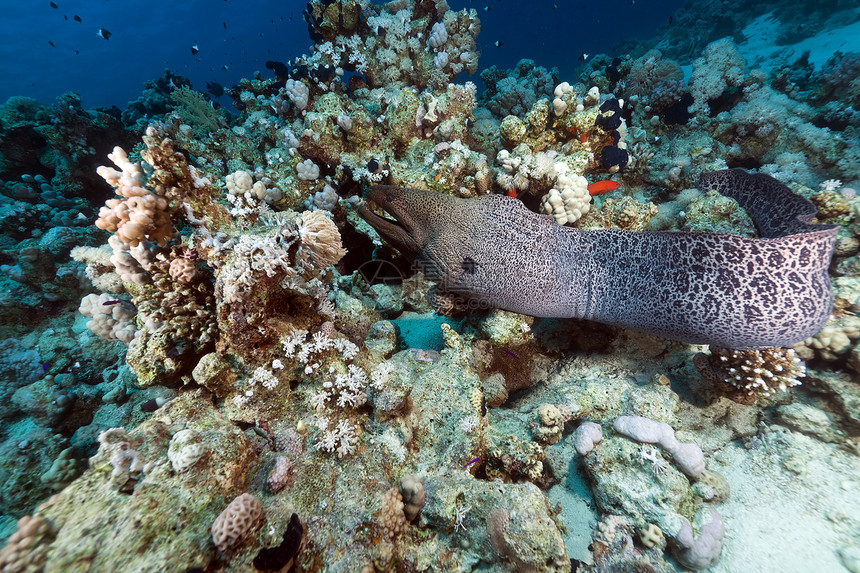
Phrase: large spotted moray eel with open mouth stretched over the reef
[699,288]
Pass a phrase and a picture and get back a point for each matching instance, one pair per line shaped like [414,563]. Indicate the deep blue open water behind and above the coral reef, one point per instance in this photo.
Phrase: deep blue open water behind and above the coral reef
[147,37]
